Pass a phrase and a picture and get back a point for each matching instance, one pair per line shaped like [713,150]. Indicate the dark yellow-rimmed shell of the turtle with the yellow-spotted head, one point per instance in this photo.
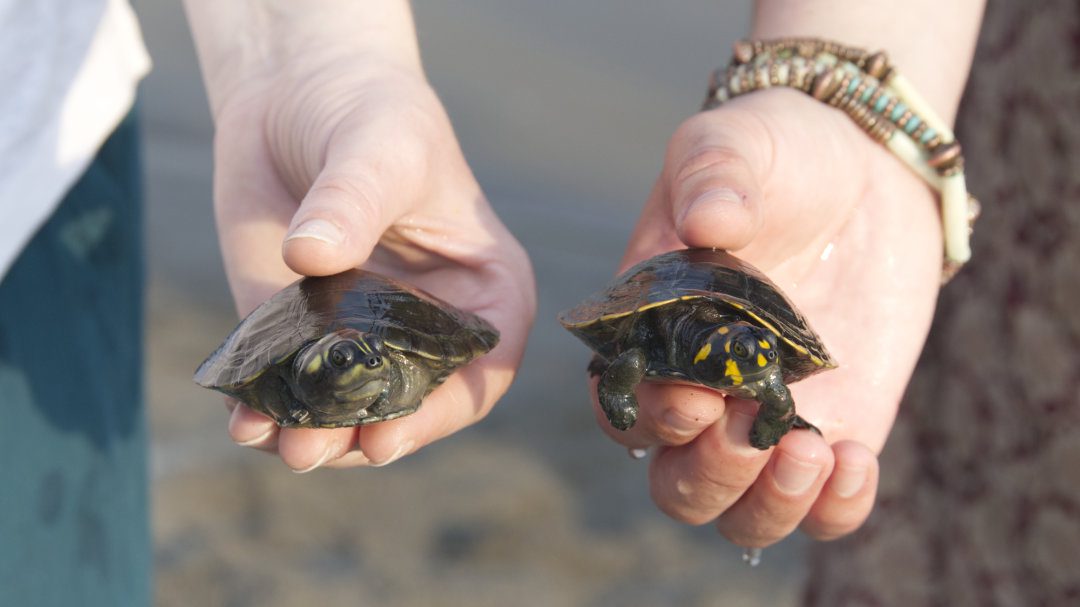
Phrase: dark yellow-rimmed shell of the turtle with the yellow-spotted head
[667,281]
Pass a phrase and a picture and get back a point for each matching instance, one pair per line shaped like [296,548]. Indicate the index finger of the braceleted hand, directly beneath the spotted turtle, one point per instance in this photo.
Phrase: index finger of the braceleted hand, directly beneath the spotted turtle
[669,415]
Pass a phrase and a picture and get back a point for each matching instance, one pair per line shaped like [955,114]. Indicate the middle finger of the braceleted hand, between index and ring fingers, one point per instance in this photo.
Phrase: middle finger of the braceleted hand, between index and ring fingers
[697,482]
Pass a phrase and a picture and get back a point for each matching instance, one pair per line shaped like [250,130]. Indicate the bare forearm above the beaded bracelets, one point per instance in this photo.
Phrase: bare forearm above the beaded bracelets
[931,43]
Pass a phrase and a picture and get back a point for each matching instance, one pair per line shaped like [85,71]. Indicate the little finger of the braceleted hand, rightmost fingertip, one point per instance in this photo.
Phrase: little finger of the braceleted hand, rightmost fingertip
[848,497]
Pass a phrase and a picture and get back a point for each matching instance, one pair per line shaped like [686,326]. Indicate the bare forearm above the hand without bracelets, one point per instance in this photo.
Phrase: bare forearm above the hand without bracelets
[238,41]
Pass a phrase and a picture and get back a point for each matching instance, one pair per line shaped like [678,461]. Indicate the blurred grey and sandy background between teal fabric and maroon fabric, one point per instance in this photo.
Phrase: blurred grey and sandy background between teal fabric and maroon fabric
[564,110]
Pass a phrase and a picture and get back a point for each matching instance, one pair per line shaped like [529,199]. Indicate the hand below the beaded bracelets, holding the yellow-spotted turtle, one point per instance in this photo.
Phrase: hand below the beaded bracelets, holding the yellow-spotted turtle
[854,238]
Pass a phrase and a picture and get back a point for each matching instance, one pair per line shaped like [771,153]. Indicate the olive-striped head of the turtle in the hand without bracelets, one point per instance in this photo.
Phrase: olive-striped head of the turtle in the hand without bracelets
[343,370]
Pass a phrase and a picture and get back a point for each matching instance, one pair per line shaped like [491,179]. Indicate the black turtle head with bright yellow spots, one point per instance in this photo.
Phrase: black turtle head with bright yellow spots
[737,355]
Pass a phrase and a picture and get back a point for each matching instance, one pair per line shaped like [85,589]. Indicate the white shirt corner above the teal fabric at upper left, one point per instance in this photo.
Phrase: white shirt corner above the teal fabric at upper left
[70,71]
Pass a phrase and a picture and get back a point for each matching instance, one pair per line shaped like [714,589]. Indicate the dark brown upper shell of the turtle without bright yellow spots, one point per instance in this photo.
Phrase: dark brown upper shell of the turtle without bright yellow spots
[408,320]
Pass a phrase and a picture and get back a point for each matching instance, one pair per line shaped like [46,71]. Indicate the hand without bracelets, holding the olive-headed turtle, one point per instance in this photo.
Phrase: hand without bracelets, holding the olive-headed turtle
[321,168]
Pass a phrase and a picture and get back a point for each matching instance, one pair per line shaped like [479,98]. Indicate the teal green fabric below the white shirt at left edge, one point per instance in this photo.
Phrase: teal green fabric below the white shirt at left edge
[74,506]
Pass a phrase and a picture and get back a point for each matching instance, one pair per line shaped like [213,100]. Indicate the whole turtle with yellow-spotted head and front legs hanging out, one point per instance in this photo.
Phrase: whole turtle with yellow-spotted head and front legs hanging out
[700,317]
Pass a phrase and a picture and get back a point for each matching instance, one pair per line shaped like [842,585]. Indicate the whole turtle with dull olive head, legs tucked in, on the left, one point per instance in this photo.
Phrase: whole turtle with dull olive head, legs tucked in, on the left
[348,349]
